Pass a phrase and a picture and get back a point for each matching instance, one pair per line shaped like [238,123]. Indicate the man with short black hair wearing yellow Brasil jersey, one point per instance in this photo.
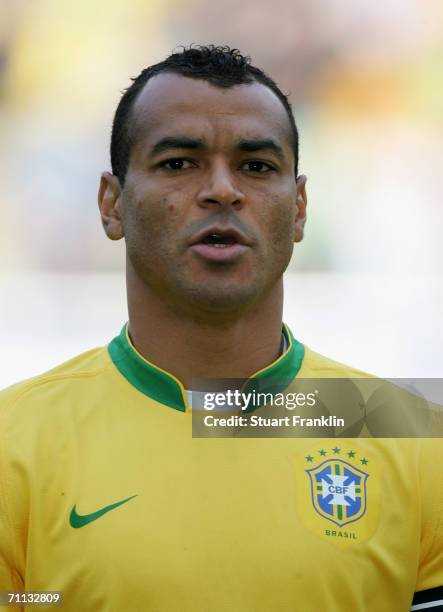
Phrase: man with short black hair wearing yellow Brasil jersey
[104,493]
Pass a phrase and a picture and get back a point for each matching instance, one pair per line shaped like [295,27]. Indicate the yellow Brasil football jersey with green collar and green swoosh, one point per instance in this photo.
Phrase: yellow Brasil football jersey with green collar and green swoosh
[107,497]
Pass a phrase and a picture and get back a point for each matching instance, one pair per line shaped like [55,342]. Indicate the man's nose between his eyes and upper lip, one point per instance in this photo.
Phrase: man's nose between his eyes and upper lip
[220,188]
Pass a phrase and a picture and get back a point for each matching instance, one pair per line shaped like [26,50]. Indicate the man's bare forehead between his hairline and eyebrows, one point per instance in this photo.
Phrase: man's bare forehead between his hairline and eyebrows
[171,103]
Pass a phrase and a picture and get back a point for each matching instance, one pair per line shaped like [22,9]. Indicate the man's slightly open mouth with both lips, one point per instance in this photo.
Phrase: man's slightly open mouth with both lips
[217,244]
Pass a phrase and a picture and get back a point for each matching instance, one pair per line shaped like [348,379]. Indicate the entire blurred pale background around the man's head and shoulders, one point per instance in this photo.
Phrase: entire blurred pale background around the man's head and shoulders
[366,85]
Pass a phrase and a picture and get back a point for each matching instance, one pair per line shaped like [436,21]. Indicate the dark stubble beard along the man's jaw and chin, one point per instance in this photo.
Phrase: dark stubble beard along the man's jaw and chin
[212,291]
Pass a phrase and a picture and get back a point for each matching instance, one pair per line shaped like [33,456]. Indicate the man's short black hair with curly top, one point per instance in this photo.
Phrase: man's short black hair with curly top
[221,66]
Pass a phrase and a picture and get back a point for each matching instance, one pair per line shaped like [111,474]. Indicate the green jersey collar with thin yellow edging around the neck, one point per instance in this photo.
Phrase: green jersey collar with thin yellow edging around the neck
[166,389]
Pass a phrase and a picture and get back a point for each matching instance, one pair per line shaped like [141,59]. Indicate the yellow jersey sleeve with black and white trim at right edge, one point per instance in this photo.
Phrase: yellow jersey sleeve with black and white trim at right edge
[429,587]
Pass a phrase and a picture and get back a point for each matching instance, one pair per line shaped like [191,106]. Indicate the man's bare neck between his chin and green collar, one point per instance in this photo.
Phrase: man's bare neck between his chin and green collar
[204,346]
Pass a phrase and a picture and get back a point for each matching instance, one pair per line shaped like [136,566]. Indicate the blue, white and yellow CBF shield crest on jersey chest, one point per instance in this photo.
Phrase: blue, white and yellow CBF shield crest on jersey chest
[338,491]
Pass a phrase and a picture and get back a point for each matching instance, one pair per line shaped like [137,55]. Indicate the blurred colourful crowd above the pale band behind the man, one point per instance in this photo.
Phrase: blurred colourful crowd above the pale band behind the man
[364,80]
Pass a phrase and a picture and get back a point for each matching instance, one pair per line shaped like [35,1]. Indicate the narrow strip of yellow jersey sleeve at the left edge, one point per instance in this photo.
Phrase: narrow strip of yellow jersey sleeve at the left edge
[10,575]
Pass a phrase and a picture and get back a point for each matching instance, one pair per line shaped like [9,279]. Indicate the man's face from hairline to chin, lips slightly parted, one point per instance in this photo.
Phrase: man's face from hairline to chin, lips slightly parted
[210,208]
